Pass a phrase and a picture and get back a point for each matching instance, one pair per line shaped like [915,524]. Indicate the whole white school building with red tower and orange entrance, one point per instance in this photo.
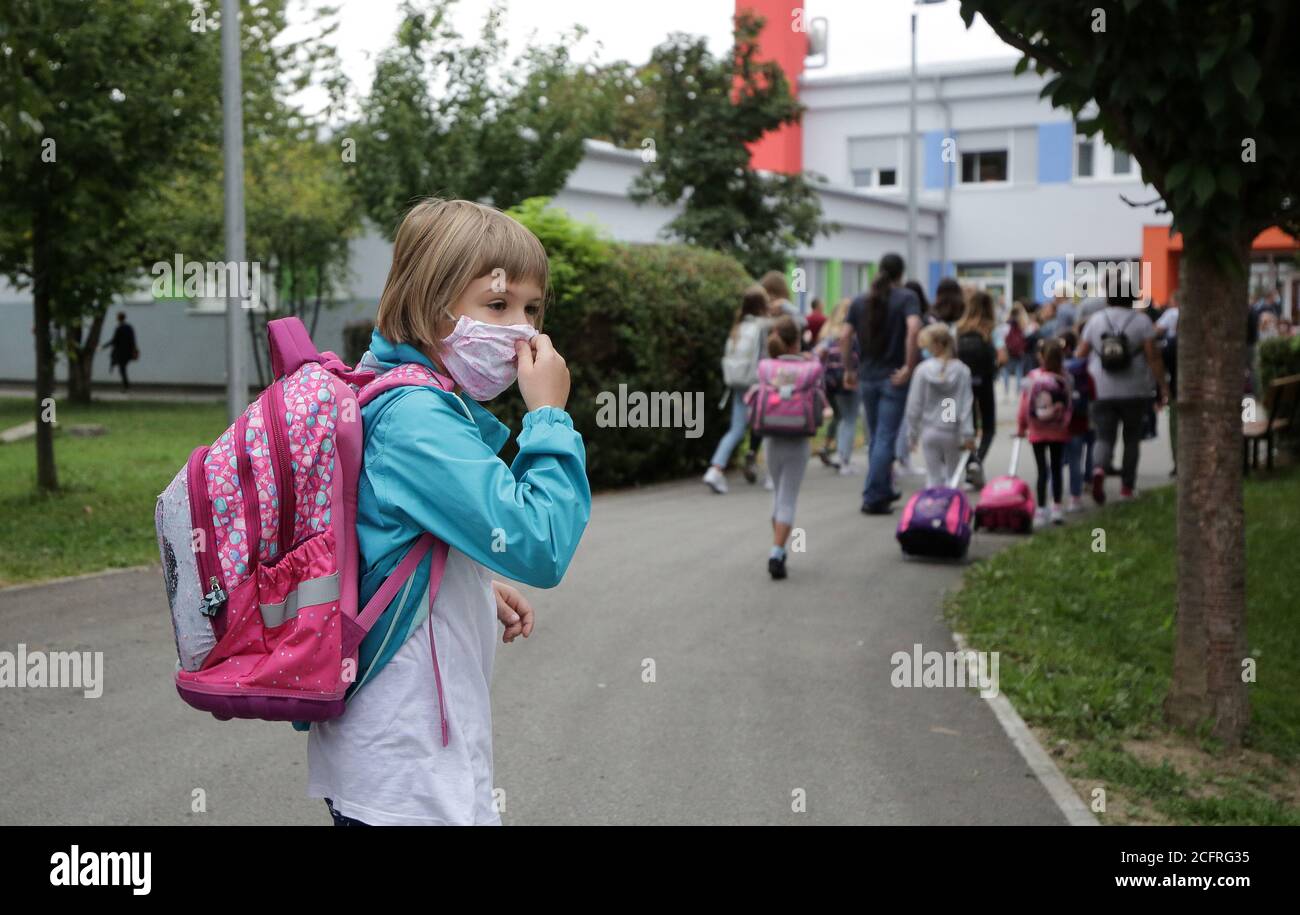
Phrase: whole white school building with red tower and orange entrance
[1009,197]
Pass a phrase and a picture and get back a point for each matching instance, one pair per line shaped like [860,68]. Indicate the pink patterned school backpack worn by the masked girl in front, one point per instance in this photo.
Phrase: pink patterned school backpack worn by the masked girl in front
[259,549]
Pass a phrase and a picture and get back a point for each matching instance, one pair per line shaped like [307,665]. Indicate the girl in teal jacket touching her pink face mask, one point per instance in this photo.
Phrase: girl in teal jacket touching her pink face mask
[465,298]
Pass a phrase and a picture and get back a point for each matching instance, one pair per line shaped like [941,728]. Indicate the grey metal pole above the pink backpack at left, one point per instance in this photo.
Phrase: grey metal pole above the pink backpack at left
[232,122]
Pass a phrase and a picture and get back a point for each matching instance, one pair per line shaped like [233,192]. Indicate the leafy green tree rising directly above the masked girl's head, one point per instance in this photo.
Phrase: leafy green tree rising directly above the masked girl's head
[450,119]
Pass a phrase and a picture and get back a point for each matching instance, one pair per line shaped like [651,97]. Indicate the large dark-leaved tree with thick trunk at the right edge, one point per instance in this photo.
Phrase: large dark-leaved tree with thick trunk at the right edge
[1210,112]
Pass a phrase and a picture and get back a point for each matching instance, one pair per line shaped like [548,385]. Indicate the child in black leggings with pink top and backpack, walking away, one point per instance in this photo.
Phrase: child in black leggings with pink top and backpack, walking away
[1045,417]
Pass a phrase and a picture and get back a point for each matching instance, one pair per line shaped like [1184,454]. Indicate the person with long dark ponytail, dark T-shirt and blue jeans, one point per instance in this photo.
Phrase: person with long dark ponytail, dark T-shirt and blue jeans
[886,322]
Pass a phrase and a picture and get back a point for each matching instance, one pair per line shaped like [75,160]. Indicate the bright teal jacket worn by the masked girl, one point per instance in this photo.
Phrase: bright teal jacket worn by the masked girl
[431,466]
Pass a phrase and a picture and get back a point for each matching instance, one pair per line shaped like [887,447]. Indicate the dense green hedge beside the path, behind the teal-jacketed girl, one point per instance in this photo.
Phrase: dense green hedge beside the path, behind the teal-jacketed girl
[649,316]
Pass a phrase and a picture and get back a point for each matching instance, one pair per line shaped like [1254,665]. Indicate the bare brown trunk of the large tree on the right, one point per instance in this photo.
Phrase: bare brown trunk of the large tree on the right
[1211,618]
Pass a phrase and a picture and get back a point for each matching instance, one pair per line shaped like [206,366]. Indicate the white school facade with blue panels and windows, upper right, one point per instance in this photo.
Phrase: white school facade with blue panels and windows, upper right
[1020,190]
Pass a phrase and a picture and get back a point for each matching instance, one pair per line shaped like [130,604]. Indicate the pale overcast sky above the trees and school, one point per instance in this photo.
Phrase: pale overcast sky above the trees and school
[864,34]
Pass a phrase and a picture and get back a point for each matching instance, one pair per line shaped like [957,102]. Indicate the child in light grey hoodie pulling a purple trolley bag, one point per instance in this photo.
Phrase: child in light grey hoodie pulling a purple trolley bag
[941,407]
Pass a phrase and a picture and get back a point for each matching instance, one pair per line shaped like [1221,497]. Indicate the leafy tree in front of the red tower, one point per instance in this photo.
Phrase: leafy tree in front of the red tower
[710,111]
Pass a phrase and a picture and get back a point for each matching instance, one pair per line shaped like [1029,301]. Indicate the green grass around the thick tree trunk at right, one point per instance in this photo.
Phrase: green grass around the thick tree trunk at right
[1087,641]
